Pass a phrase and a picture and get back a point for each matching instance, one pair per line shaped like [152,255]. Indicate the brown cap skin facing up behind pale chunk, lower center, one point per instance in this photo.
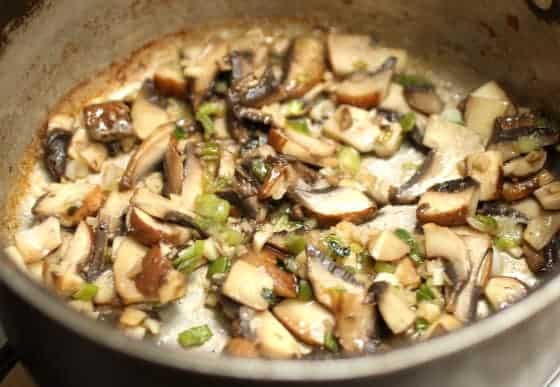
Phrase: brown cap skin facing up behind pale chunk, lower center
[284,282]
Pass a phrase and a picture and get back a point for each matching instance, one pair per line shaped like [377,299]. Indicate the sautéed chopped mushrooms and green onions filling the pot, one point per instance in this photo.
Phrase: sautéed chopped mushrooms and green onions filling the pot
[246,161]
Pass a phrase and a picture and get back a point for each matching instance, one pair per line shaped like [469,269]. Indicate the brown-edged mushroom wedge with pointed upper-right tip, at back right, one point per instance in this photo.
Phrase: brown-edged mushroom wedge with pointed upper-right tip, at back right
[366,89]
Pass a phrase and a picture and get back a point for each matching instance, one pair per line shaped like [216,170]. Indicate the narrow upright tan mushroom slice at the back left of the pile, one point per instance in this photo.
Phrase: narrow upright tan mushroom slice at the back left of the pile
[208,63]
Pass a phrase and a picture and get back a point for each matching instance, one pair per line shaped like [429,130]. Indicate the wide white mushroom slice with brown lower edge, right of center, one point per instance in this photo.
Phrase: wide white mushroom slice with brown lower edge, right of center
[334,204]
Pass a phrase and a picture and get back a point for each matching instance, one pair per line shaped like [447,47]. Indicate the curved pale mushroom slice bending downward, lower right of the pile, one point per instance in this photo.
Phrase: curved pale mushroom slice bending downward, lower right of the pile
[442,242]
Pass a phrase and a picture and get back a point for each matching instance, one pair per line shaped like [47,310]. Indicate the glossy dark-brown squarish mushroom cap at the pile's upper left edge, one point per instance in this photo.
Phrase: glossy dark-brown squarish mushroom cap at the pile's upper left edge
[108,122]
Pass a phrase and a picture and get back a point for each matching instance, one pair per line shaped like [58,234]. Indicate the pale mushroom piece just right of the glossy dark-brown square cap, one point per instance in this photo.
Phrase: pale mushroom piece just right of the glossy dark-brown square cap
[147,112]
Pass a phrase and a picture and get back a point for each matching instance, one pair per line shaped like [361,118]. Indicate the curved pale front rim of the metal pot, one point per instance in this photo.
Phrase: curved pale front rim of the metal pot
[277,370]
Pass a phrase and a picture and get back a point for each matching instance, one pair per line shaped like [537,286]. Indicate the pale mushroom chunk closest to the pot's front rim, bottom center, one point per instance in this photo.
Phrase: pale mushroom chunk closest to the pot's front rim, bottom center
[273,340]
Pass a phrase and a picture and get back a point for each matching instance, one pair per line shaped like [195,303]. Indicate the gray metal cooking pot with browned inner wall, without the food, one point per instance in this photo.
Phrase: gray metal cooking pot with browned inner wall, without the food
[61,42]
